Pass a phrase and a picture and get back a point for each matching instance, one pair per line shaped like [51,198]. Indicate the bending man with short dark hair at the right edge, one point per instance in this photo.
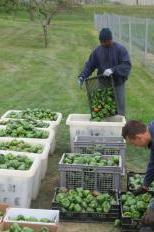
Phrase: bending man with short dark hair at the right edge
[138,134]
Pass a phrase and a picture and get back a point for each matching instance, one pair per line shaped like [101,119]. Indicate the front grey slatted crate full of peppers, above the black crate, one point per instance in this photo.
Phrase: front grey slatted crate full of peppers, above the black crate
[90,177]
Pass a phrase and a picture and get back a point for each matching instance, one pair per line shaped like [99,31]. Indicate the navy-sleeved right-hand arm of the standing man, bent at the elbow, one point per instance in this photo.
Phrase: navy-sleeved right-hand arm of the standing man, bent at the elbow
[124,66]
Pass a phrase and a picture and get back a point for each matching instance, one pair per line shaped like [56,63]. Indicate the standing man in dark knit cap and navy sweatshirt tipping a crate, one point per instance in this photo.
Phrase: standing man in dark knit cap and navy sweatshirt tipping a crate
[110,59]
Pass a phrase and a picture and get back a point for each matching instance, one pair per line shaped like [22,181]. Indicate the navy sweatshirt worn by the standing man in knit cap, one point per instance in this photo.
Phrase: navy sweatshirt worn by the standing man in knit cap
[115,57]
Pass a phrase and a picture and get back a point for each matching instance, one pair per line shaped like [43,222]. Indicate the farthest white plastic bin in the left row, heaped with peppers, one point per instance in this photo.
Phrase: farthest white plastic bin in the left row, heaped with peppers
[53,124]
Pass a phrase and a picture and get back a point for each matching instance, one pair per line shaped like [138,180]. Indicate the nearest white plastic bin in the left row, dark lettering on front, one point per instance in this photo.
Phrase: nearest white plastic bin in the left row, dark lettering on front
[16,186]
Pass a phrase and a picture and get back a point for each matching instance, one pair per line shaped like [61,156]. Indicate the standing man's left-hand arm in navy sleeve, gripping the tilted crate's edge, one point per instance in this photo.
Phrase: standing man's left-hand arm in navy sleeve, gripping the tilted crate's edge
[90,66]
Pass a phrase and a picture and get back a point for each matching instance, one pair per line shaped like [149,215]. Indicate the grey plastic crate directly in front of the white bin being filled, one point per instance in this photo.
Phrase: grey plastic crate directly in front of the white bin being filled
[104,145]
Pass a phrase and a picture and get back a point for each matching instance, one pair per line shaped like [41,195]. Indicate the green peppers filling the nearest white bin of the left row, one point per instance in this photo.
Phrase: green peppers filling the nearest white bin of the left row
[13,162]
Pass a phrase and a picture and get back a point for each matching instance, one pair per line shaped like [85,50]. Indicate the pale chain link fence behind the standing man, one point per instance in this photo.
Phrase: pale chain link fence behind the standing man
[137,34]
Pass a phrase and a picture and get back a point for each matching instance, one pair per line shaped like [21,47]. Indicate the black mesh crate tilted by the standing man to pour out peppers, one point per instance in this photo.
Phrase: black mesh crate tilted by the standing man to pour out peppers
[96,83]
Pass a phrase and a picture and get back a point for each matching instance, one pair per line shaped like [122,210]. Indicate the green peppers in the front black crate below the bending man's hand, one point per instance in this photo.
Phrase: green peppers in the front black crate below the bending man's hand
[134,206]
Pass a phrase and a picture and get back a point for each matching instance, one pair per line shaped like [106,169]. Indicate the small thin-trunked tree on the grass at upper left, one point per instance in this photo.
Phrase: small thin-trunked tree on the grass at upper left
[46,10]
